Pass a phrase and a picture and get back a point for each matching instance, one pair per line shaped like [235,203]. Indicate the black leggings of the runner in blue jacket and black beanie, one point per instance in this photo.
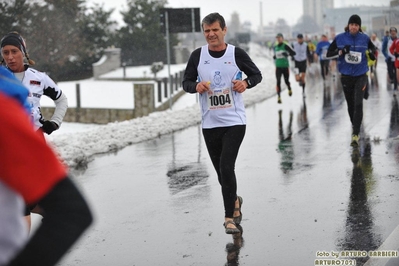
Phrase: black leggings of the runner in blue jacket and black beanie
[354,88]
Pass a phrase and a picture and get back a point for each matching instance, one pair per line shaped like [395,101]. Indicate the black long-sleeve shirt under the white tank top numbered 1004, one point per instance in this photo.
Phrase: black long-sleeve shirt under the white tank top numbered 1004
[244,63]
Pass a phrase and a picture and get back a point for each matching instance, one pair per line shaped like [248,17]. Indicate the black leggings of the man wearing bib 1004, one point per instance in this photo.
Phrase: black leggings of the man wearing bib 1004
[223,144]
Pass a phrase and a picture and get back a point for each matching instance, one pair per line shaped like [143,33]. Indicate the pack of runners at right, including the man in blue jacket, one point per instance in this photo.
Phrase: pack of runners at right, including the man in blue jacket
[352,53]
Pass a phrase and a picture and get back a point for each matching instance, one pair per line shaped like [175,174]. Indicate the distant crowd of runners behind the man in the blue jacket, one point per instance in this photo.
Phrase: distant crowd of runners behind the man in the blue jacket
[309,49]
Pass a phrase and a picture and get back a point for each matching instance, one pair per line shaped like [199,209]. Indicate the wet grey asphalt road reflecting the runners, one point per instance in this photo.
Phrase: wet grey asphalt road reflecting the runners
[305,189]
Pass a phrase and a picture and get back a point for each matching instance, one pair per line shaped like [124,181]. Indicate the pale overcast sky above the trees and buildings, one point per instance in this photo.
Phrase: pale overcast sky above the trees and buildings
[248,10]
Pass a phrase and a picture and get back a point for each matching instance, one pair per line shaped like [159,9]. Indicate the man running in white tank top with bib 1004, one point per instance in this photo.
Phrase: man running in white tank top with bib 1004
[215,72]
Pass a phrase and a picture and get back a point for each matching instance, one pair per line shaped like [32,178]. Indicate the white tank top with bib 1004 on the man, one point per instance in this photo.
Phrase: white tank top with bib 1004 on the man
[220,106]
